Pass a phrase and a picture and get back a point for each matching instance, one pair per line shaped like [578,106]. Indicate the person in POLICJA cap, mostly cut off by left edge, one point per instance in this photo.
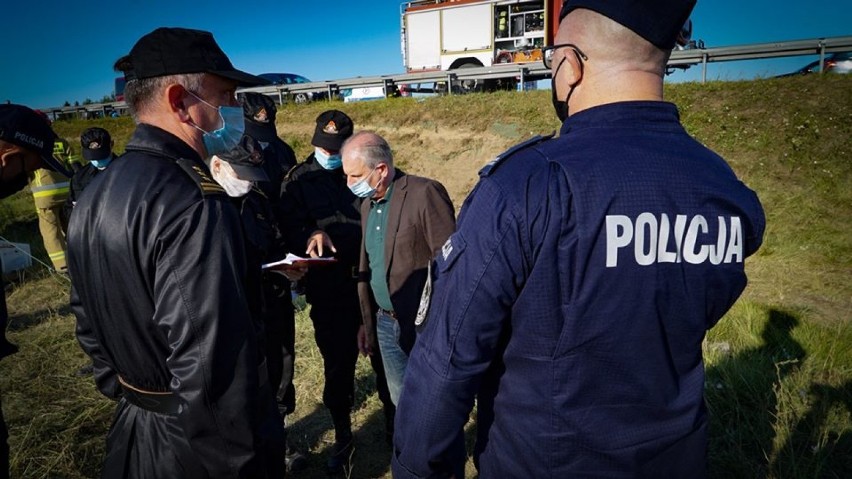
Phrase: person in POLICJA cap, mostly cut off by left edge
[26,144]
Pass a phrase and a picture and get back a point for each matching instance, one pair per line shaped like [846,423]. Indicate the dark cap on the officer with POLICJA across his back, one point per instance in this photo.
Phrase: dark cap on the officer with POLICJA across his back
[658,21]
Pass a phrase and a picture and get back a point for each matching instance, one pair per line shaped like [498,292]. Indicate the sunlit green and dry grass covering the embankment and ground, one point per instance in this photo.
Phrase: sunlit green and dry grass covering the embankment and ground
[779,365]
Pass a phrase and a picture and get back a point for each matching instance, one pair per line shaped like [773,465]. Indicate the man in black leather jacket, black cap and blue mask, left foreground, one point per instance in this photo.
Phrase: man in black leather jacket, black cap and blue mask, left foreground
[159,271]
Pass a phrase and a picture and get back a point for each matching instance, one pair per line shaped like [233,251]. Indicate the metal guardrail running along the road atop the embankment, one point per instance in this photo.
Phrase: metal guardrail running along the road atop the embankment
[523,72]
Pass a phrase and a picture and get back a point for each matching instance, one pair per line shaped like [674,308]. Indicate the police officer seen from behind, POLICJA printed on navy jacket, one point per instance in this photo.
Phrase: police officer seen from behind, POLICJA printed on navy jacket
[573,298]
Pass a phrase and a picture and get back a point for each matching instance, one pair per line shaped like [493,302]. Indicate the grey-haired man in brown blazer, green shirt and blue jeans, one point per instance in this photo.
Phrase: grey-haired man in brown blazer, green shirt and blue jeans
[405,220]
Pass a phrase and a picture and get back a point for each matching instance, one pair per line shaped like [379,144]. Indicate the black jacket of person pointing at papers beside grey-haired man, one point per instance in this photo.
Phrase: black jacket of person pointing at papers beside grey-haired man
[315,198]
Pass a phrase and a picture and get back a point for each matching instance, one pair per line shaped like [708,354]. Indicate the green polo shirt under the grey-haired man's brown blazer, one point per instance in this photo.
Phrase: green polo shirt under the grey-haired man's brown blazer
[374,242]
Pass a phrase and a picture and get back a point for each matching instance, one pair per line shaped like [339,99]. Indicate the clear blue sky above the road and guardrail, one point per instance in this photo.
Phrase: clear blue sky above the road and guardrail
[53,50]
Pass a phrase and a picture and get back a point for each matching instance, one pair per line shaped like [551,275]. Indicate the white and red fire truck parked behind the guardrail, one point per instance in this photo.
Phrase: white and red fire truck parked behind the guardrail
[451,34]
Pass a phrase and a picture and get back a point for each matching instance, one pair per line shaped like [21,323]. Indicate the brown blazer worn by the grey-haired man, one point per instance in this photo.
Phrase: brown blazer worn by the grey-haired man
[420,220]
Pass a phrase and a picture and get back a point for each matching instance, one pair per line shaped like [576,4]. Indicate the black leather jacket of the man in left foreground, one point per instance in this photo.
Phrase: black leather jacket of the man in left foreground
[158,270]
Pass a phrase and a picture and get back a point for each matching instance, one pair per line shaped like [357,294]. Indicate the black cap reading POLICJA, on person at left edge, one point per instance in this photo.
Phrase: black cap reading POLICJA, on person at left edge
[24,127]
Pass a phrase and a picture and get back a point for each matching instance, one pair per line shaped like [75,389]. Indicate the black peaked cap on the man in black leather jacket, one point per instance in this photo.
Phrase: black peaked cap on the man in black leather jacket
[174,51]
